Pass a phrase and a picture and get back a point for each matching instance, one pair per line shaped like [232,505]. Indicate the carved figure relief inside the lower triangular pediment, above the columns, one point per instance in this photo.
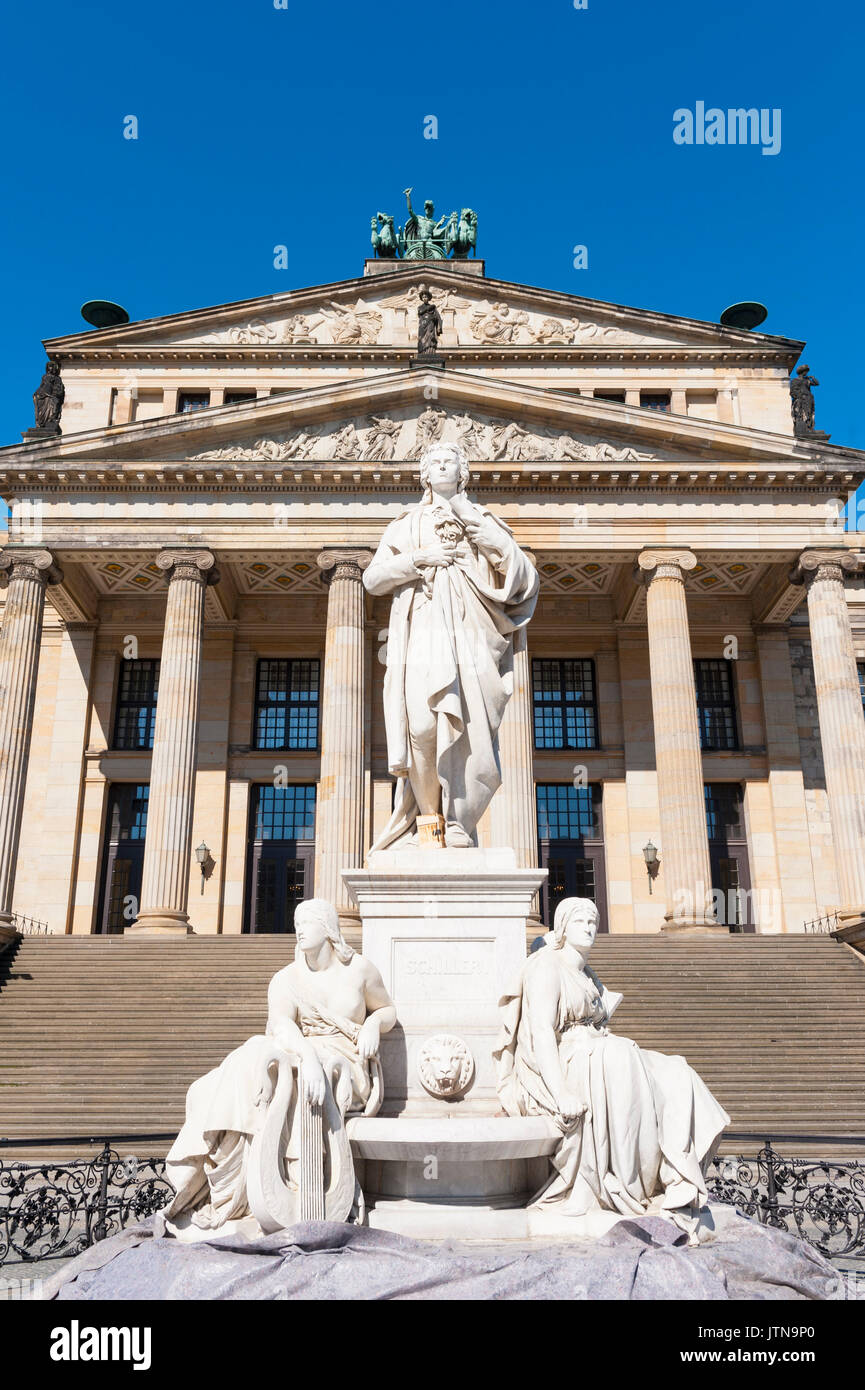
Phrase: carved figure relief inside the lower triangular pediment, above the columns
[396,439]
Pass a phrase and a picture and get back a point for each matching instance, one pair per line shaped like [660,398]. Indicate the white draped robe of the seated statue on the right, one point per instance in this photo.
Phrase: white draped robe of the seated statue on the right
[652,1121]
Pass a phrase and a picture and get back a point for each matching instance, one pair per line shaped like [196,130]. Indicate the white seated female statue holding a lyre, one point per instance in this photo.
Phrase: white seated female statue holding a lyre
[265,1140]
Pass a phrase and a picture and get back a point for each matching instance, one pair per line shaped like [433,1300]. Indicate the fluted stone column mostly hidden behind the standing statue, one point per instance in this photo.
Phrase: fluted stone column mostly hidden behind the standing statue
[514,815]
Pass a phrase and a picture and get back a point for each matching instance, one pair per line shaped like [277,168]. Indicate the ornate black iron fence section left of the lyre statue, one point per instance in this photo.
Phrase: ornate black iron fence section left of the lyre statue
[59,1207]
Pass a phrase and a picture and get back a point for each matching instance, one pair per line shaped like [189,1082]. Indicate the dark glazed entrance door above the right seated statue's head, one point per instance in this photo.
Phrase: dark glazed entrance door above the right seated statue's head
[571,847]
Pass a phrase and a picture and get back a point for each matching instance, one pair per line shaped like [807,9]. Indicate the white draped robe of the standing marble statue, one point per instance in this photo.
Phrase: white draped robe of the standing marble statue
[464,623]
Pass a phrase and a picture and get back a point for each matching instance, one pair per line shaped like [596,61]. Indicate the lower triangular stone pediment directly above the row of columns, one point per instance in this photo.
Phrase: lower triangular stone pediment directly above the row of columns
[394,416]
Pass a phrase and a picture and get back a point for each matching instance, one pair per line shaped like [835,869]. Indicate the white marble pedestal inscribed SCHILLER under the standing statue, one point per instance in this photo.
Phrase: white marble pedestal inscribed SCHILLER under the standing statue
[447,929]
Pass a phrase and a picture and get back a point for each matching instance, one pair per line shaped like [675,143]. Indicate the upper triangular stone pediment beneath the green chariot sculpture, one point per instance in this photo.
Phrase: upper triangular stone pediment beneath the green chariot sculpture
[382,312]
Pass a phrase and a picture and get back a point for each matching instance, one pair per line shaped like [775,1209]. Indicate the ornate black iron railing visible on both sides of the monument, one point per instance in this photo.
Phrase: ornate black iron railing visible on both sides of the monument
[59,1207]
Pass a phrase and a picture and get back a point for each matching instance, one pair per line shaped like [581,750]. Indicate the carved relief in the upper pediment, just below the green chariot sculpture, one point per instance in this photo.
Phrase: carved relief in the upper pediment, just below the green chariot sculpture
[391,320]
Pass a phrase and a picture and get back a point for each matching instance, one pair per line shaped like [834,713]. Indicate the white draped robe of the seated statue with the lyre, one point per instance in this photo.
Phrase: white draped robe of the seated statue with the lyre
[208,1161]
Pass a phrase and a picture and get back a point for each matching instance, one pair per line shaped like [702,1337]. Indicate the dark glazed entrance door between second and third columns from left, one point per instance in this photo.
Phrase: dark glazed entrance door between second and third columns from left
[282,857]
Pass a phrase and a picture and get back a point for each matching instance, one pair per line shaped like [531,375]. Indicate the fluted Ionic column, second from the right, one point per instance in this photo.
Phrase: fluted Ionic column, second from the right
[685,850]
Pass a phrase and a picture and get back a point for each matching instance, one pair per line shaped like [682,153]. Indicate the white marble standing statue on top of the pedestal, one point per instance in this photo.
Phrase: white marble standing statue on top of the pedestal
[462,589]
